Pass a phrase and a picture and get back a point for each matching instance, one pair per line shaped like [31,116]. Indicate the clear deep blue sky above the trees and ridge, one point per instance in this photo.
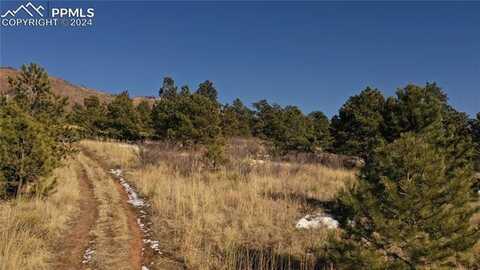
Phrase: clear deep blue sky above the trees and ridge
[311,54]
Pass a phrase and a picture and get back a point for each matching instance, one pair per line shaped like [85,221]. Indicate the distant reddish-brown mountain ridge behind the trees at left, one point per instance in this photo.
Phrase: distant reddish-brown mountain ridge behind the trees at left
[75,93]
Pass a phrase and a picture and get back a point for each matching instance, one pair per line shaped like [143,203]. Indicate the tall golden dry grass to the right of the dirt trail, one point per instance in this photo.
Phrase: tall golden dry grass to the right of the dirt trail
[240,217]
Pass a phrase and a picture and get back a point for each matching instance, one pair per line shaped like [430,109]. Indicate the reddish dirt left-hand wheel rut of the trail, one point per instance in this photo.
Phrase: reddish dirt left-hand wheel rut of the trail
[71,249]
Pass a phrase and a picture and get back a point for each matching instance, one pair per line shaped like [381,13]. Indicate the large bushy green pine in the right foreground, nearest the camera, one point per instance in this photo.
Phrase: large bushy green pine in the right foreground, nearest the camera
[411,208]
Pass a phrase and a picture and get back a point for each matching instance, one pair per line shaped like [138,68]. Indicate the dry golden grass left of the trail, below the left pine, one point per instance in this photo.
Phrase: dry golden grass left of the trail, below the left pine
[28,228]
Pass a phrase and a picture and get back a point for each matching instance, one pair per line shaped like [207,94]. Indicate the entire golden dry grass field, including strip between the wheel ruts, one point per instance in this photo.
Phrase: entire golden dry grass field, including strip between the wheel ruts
[241,216]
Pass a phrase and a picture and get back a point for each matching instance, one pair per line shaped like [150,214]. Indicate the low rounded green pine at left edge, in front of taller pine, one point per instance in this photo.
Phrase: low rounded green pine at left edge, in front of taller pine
[27,151]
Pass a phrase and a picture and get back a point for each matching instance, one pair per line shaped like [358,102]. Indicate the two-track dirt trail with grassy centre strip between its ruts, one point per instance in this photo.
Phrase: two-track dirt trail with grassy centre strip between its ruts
[105,234]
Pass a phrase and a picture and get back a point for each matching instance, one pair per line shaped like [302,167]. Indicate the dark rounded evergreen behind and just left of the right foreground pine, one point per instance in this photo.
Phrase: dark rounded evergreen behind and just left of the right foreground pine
[357,129]
